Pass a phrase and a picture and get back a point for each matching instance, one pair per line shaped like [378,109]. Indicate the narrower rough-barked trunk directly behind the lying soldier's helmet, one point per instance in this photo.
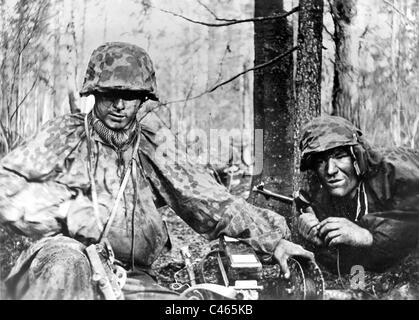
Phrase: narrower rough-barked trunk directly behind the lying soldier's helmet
[308,77]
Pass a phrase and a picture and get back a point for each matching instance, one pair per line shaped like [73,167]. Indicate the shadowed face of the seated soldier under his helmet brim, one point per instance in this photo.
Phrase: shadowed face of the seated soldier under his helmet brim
[117,112]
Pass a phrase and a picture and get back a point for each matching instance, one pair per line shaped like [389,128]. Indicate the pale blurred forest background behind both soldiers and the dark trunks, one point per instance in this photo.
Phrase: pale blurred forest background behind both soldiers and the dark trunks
[370,69]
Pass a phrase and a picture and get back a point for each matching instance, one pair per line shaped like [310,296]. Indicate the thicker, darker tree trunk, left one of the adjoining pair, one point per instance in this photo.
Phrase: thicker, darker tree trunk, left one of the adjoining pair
[273,107]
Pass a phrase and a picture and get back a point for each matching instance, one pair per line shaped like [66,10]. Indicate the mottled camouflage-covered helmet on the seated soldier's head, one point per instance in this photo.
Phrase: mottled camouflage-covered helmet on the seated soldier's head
[120,66]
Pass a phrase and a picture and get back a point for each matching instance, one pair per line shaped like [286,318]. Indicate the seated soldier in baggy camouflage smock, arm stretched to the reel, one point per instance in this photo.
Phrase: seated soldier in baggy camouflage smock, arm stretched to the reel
[48,188]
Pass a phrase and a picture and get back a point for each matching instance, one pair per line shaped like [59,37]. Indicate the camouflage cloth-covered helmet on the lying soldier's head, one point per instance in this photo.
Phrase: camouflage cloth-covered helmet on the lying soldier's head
[324,133]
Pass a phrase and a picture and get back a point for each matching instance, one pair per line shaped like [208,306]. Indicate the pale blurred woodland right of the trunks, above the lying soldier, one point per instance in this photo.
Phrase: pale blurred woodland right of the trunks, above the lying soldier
[376,70]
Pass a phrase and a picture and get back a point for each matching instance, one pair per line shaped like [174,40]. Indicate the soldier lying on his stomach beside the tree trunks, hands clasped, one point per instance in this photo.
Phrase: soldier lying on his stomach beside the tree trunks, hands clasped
[366,211]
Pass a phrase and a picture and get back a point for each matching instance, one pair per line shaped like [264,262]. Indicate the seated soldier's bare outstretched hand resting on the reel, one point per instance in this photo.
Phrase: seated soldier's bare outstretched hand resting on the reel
[287,249]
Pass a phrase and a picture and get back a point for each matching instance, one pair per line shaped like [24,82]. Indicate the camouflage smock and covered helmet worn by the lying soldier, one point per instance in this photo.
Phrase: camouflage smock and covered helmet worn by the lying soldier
[387,198]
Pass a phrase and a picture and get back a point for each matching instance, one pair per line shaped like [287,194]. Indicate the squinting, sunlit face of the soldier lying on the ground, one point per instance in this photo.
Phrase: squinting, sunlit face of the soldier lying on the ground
[336,171]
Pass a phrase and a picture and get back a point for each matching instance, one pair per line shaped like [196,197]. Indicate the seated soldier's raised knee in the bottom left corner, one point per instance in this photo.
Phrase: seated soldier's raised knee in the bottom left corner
[56,268]
